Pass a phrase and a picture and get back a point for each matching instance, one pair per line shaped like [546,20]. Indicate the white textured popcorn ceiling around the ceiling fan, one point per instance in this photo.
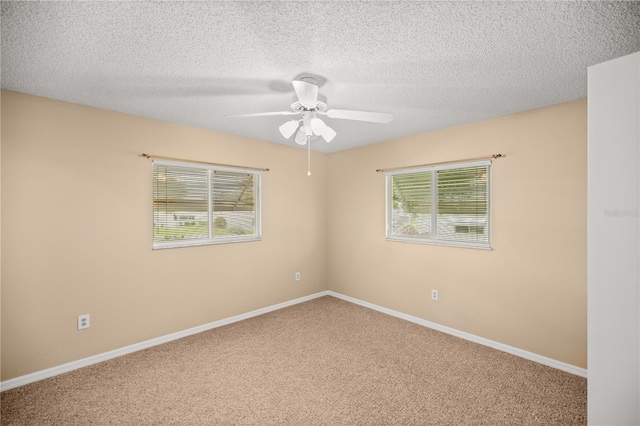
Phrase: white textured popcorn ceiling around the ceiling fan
[431,64]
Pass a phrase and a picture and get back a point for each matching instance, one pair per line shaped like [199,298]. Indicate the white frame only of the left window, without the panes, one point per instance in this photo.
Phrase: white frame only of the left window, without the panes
[257,236]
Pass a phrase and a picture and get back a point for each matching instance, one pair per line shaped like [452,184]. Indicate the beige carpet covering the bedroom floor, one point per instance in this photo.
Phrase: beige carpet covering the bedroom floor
[323,362]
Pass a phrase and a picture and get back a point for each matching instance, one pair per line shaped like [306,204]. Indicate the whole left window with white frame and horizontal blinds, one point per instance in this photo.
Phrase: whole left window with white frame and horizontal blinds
[196,204]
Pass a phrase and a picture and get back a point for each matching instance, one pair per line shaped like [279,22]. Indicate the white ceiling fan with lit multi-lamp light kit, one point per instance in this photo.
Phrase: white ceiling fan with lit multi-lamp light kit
[310,107]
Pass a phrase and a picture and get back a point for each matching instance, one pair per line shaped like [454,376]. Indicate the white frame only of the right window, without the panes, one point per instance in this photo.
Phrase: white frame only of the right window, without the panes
[434,205]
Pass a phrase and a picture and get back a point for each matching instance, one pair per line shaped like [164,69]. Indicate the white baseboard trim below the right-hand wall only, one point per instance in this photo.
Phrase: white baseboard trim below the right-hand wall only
[569,368]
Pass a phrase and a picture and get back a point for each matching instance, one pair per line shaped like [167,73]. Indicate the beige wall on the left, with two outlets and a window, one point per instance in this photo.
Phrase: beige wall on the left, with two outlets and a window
[76,221]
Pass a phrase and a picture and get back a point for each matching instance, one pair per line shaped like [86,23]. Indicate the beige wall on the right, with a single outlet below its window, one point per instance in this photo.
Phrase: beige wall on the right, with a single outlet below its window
[530,290]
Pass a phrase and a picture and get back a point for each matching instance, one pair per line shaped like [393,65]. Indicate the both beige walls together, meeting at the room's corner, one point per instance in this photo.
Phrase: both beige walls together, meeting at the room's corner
[76,221]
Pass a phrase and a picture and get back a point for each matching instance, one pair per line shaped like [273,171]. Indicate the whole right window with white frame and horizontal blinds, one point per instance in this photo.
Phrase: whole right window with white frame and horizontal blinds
[445,204]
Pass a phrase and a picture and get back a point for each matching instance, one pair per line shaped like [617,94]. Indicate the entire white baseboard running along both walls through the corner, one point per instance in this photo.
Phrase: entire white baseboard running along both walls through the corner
[74,365]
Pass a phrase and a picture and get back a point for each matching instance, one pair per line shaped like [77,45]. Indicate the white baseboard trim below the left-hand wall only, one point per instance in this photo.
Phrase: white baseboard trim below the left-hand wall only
[74,365]
